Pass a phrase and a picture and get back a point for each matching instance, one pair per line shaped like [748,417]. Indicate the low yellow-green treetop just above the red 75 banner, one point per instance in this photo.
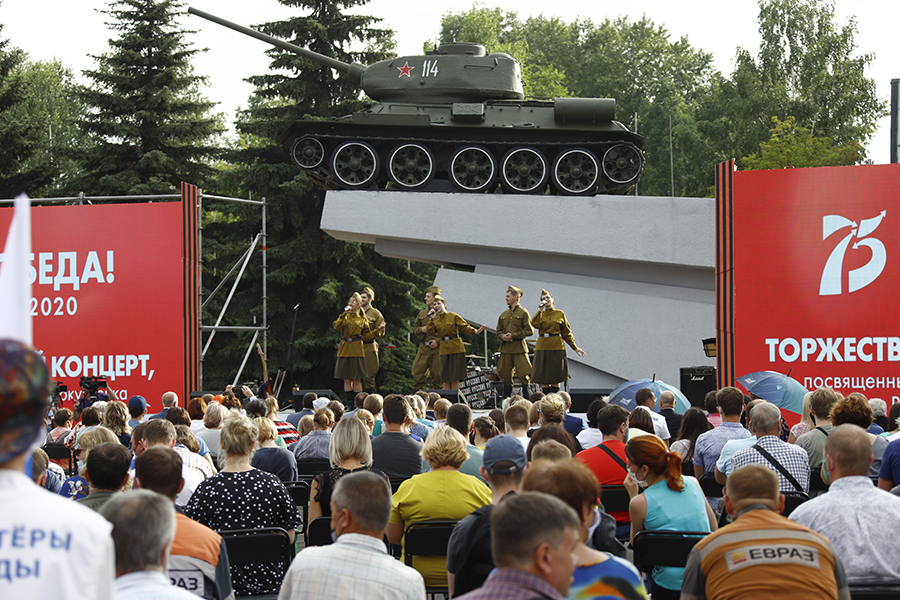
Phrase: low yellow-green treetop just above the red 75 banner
[792,145]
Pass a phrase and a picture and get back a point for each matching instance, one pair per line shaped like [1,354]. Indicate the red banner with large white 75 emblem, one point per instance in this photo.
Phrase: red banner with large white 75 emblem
[817,275]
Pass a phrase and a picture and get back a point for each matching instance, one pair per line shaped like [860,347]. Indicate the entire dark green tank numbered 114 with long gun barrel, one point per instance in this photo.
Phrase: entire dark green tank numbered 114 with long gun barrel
[457,119]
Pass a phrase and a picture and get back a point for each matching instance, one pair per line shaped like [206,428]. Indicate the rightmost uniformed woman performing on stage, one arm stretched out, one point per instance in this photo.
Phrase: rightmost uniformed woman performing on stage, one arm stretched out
[551,366]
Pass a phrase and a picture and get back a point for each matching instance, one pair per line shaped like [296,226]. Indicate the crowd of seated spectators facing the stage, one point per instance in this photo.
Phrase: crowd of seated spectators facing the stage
[525,485]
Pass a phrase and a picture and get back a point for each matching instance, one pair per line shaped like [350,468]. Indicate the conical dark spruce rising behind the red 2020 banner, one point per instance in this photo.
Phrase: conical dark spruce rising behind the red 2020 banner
[150,126]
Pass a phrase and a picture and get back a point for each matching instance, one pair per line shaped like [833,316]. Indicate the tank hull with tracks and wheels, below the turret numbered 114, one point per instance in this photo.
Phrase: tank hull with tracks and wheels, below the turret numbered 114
[566,146]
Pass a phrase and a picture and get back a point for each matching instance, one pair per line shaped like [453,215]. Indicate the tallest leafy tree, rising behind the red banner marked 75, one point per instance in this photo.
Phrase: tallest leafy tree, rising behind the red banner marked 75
[806,68]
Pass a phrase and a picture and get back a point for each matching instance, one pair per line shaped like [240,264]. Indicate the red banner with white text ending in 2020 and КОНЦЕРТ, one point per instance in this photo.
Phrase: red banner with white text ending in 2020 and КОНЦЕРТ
[107,287]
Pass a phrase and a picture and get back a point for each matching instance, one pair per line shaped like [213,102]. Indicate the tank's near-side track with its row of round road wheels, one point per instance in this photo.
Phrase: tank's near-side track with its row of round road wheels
[525,166]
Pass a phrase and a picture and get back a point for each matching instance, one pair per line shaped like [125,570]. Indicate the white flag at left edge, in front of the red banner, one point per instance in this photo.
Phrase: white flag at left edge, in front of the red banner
[15,285]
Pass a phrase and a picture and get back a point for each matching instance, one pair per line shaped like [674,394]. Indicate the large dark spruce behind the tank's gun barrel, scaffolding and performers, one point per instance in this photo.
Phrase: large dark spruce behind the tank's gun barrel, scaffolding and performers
[305,264]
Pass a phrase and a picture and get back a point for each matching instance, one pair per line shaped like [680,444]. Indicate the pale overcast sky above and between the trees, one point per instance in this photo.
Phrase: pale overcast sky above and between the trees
[72,30]
